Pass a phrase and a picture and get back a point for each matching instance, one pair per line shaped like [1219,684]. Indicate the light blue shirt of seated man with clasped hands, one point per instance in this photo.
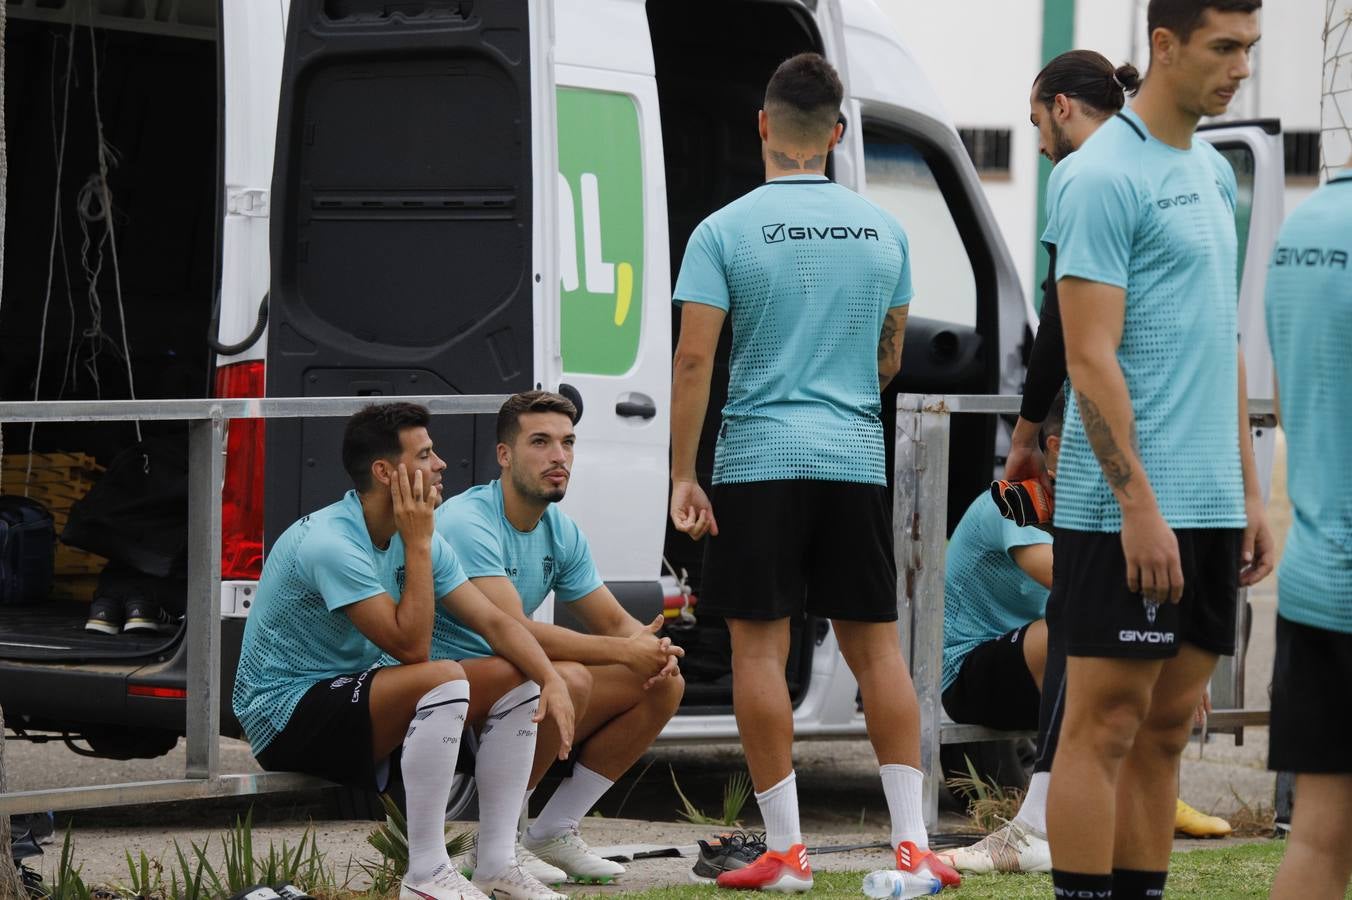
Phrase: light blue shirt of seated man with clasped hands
[554,556]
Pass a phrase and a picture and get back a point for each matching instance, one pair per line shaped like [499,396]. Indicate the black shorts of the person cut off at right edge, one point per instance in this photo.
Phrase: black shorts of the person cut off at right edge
[1312,707]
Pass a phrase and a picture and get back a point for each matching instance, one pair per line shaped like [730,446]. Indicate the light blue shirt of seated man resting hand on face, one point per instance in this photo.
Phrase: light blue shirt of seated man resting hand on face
[298,633]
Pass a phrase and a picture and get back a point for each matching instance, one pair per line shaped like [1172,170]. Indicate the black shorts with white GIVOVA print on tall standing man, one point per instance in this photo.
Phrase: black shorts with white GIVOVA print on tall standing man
[1105,620]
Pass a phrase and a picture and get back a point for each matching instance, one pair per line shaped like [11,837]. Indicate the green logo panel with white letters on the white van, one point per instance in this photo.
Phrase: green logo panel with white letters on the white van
[601,230]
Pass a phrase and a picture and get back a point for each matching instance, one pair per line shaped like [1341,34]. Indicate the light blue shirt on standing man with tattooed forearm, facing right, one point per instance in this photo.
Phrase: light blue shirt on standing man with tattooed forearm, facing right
[1134,213]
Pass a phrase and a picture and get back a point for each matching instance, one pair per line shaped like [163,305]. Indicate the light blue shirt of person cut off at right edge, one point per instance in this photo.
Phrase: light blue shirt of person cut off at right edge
[1309,318]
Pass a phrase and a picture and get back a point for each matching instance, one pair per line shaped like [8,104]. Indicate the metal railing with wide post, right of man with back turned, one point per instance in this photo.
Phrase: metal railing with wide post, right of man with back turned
[920,533]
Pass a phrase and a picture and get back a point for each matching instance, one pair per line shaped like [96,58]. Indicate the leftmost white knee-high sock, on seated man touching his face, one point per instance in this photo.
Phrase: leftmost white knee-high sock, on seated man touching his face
[429,764]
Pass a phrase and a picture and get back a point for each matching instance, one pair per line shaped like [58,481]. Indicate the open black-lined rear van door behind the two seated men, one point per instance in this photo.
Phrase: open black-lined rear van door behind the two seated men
[406,228]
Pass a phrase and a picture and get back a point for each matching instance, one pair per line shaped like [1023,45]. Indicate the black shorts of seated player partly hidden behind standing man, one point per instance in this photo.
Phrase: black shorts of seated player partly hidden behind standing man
[994,687]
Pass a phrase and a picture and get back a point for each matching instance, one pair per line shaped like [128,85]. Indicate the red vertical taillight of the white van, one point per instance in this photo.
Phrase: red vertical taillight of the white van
[241,499]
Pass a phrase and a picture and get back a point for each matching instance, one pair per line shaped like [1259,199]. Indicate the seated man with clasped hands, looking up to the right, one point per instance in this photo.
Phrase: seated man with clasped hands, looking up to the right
[517,548]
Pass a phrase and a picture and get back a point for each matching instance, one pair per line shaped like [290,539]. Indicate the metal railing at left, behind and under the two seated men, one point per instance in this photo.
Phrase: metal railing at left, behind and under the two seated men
[206,472]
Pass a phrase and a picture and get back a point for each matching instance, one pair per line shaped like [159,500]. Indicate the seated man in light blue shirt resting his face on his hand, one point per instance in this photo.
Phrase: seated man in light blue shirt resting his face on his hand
[358,580]
